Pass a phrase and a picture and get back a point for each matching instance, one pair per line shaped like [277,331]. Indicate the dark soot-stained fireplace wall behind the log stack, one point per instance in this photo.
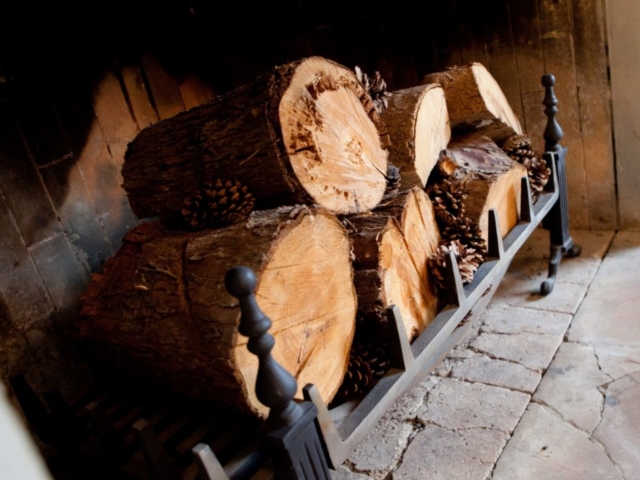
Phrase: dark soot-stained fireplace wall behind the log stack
[70,104]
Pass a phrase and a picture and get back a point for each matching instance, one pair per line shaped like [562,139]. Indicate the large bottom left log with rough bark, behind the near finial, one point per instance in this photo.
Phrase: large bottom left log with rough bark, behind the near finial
[161,307]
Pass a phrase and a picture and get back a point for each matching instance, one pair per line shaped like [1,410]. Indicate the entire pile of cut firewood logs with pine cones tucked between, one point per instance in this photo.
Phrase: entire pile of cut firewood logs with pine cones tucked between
[344,198]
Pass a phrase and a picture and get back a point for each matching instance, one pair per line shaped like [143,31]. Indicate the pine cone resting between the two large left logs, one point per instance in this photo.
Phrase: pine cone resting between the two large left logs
[218,204]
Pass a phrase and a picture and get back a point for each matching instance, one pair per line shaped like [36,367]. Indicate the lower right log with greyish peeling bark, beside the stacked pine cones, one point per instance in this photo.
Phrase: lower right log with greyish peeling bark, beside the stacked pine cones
[488,177]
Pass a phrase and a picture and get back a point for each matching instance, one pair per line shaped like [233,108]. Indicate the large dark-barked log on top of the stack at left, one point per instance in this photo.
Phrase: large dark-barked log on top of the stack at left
[307,132]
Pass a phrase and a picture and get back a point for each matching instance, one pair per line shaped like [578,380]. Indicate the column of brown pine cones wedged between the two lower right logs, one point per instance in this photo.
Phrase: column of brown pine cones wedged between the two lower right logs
[460,234]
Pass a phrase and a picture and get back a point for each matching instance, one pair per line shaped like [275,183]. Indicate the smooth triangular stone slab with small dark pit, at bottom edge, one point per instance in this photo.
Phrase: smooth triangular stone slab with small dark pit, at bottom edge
[544,446]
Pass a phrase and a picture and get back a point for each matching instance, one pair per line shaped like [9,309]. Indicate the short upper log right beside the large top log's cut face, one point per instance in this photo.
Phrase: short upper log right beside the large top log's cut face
[418,125]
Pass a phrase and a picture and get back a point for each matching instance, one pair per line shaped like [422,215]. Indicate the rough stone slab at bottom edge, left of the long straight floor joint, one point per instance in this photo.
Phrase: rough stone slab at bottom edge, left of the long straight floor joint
[438,454]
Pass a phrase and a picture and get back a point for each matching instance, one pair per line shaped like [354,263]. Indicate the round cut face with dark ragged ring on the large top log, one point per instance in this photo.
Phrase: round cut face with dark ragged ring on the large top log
[332,139]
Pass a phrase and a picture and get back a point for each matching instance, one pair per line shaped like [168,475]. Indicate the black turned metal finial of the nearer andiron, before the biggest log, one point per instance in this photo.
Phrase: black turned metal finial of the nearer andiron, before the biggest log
[275,387]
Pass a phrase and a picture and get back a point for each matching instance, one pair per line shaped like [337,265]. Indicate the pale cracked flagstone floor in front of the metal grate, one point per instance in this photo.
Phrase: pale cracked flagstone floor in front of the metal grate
[542,387]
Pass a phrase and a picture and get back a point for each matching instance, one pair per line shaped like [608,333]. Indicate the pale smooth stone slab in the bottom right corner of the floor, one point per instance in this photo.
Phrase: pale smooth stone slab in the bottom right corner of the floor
[619,430]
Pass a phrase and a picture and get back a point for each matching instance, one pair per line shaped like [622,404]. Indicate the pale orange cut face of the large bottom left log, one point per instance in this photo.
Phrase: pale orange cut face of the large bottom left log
[306,289]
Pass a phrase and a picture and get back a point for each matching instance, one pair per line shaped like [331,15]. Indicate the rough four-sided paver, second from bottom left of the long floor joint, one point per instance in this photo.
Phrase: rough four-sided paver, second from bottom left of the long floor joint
[458,405]
